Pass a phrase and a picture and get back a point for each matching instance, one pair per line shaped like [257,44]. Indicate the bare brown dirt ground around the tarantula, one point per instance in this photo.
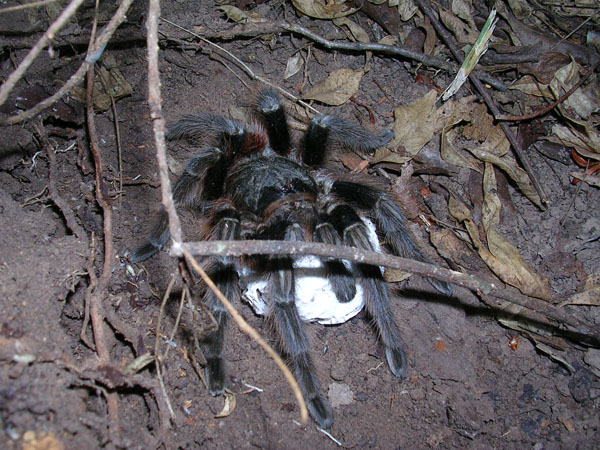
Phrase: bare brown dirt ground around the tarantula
[472,382]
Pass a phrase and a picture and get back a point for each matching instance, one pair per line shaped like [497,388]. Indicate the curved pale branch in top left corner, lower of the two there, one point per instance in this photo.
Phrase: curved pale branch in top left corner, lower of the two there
[93,55]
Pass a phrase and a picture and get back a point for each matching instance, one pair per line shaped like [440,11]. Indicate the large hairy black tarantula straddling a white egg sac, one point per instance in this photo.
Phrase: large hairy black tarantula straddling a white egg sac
[253,185]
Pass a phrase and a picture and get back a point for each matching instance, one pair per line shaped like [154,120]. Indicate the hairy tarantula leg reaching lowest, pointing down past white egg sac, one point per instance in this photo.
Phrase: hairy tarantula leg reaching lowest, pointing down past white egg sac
[293,339]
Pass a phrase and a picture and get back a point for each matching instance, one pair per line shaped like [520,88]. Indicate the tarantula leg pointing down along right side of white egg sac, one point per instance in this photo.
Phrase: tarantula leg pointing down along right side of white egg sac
[377,299]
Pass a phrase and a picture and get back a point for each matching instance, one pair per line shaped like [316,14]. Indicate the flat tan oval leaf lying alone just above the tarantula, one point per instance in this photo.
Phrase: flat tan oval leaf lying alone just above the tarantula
[337,88]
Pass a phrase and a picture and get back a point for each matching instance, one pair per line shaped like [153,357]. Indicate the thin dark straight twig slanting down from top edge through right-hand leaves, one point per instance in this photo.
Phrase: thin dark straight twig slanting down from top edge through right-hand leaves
[474,78]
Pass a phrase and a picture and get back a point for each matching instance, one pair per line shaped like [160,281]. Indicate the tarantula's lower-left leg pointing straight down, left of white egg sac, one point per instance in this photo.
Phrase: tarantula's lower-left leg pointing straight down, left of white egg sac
[223,272]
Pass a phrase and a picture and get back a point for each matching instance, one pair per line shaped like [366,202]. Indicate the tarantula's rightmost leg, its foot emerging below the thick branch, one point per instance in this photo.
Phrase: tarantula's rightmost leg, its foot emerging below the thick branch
[390,221]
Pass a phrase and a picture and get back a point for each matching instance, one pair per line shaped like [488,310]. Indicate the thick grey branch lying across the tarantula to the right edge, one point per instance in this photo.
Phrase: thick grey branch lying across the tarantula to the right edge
[352,254]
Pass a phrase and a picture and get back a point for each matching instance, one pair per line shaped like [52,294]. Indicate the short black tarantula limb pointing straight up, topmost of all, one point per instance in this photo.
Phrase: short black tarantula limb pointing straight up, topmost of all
[273,117]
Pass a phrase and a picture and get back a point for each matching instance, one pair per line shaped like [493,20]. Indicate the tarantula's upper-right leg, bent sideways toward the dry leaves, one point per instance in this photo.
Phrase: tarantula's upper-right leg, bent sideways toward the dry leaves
[325,128]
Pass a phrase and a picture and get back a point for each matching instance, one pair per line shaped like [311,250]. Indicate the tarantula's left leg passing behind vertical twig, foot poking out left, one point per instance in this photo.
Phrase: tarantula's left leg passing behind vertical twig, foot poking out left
[201,180]
